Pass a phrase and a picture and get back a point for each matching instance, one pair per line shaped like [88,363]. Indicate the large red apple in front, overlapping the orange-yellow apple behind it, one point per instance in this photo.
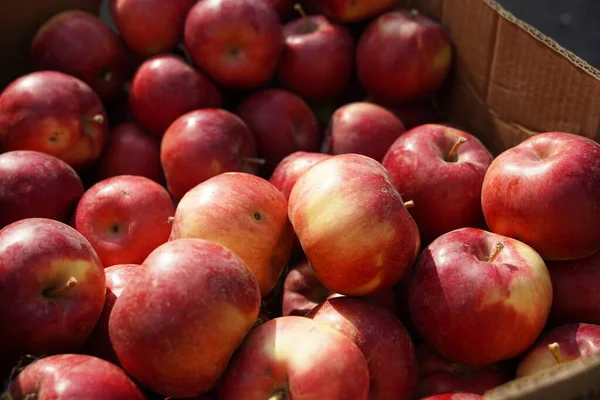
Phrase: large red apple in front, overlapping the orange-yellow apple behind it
[178,321]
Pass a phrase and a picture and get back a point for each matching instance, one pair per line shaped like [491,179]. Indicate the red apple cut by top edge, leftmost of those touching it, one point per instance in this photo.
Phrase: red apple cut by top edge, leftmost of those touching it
[150,27]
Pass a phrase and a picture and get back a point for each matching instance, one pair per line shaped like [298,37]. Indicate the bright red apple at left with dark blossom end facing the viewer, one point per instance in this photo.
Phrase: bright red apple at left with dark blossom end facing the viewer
[125,218]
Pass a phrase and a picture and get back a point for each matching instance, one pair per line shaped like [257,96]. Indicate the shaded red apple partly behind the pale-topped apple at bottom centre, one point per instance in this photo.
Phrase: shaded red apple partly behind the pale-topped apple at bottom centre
[393,362]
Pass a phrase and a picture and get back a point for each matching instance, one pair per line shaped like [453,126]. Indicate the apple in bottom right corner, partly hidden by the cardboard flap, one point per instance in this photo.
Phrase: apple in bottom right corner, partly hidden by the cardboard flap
[574,341]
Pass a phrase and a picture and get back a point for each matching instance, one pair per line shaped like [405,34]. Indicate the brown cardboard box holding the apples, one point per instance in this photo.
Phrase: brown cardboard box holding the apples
[509,82]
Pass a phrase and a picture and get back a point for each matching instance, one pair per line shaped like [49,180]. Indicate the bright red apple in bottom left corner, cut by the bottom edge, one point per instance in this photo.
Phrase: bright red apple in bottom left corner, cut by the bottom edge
[72,376]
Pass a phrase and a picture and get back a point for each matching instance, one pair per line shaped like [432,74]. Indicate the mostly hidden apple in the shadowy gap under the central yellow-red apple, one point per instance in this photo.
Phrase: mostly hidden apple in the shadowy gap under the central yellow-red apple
[302,292]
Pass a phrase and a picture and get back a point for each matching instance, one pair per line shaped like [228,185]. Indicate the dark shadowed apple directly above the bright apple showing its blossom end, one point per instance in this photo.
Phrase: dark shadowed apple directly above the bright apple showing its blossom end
[131,151]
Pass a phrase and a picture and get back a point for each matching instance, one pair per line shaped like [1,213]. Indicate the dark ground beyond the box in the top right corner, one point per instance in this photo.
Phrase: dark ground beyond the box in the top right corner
[574,24]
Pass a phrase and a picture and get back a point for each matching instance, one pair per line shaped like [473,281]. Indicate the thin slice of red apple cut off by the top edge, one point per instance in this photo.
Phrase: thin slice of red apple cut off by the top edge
[354,10]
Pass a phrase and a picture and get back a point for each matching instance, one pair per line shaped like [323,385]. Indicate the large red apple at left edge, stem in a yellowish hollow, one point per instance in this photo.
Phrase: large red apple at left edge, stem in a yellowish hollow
[38,256]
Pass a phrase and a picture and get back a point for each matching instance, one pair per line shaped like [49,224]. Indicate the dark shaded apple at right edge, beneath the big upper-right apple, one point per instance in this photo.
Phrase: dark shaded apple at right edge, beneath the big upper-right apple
[576,288]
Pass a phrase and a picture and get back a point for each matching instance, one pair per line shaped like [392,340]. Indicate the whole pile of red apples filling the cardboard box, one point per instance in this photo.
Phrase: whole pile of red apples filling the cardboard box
[254,200]
